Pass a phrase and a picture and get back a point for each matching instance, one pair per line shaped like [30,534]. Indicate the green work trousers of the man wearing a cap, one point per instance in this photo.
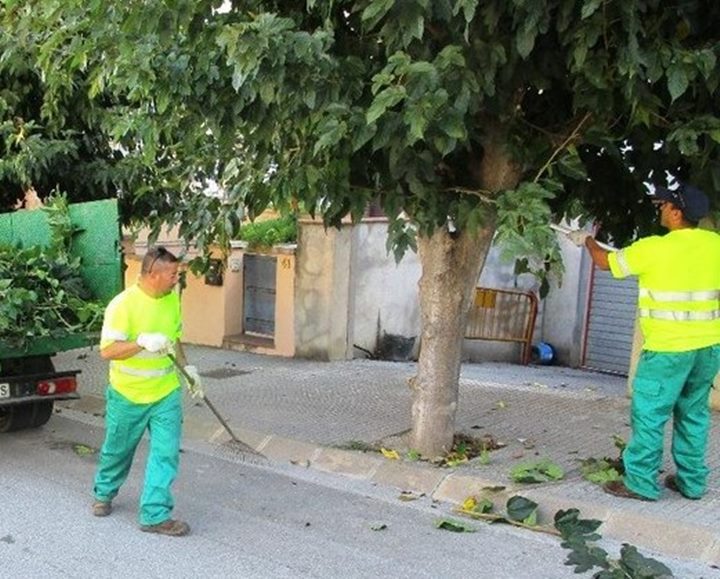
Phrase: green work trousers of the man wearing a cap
[669,384]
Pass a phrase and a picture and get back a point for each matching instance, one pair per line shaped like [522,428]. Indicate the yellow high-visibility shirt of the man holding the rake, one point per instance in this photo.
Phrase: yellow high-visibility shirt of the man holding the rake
[145,377]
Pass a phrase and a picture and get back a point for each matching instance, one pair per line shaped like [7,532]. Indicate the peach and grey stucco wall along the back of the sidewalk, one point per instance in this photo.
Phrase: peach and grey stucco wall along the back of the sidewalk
[340,292]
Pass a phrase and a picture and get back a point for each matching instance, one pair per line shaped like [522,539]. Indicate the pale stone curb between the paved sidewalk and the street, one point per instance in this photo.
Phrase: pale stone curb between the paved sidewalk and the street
[622,521]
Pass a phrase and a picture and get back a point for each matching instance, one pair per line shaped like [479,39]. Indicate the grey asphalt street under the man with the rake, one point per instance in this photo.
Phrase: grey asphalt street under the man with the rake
[247,521]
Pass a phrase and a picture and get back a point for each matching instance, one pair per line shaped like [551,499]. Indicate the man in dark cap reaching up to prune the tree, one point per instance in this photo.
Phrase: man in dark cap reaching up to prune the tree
[679,312]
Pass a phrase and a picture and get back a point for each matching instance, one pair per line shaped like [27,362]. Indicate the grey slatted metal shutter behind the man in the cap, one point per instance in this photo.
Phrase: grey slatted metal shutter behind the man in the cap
[610,322]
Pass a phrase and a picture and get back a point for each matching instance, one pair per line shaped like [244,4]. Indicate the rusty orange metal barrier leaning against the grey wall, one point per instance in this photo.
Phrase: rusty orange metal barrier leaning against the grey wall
[504,316]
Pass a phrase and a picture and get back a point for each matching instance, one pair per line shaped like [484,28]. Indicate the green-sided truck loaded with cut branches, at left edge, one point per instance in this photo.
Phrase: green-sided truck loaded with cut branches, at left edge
[29,384]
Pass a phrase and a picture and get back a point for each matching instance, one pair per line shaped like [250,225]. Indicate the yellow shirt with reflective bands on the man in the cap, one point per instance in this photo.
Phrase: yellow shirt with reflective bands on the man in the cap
[679,280]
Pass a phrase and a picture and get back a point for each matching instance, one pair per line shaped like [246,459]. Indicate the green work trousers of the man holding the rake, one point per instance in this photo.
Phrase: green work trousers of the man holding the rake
[125,424]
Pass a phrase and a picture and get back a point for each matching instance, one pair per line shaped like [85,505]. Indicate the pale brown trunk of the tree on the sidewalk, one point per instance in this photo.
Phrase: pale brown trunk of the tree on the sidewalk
[451,265]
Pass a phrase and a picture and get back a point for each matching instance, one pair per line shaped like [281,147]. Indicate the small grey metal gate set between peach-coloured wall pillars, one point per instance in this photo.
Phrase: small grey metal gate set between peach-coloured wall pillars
[259,295]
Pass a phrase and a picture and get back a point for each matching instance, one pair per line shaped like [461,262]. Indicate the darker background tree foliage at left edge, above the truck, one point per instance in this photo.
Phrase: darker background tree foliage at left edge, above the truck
[44,150]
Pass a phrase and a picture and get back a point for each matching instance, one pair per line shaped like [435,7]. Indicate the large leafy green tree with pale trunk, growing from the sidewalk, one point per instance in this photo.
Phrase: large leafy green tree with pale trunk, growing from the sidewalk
[462,119]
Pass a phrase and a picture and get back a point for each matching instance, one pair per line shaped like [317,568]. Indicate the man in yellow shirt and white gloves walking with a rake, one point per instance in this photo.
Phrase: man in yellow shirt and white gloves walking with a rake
[141,326]
